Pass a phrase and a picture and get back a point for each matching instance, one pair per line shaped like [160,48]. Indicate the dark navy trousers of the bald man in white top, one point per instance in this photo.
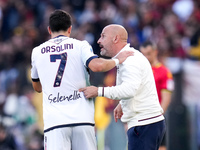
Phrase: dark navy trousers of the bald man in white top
[147,137]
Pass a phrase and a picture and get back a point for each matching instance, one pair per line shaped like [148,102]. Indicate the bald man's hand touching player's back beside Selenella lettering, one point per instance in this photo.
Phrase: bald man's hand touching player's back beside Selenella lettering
[90,91]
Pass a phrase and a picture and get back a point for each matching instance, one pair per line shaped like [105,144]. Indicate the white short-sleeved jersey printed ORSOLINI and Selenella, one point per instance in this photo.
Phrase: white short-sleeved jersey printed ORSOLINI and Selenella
[60,65]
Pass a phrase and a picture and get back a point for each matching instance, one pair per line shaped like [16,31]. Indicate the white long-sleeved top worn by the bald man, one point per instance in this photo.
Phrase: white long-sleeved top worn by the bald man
[136,90]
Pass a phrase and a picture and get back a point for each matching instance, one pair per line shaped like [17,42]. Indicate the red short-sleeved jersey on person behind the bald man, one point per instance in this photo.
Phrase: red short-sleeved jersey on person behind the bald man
[163,79]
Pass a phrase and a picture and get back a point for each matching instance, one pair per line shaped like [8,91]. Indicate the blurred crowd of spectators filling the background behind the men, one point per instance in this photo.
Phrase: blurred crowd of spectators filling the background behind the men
[173,24]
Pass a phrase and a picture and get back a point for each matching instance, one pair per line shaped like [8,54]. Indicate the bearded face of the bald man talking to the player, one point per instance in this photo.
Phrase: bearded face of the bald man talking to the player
[105,42]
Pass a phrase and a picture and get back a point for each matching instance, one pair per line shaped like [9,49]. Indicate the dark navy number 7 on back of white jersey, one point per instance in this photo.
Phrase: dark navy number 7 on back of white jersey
[61,68]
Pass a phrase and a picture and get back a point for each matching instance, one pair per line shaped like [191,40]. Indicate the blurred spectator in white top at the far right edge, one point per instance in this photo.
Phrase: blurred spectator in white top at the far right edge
[191,92]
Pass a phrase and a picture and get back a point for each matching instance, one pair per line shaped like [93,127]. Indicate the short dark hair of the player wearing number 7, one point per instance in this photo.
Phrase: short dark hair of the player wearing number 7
[59,21]
